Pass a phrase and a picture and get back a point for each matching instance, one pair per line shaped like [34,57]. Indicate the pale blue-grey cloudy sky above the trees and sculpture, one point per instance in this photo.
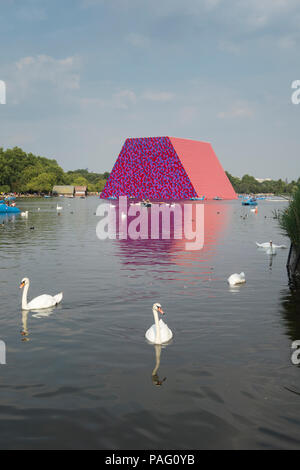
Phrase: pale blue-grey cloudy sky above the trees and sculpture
[83,75]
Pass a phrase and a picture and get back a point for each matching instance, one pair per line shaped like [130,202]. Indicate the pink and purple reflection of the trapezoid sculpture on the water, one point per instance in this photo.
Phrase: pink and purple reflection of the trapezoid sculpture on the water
[165,253]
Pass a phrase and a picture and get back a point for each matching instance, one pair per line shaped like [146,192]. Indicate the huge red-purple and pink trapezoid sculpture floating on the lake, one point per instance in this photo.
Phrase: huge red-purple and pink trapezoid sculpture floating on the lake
[167,168]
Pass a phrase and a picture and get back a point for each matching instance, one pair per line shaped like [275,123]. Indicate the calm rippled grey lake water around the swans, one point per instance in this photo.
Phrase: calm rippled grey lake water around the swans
[83,376]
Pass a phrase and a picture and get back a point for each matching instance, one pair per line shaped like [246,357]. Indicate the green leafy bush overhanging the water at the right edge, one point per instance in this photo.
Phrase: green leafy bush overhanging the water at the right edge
[289,219]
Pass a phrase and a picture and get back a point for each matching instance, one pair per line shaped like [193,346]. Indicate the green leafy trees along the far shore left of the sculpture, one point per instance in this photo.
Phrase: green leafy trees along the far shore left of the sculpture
[22,172]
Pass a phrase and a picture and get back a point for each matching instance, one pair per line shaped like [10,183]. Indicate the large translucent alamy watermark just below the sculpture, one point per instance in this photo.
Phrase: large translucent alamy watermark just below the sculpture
[140,221]
